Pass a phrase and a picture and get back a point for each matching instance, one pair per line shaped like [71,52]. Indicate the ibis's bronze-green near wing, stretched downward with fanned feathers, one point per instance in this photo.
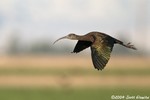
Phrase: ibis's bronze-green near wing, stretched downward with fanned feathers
[100,52]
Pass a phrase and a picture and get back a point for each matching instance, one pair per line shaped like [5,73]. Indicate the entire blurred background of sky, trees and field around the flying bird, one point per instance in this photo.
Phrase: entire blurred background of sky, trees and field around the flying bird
[32,68]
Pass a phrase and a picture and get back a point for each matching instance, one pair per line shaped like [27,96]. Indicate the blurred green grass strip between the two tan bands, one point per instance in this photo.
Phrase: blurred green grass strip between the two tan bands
[74,71]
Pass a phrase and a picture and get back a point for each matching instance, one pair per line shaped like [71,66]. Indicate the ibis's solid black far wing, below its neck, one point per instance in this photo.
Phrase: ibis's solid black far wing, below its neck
[81,45]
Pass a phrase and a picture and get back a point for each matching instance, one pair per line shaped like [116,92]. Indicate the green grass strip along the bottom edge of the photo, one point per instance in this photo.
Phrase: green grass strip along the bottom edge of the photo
[68,94]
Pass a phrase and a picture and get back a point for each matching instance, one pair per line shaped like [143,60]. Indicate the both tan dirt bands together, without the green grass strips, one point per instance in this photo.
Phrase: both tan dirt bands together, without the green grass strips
[45,62]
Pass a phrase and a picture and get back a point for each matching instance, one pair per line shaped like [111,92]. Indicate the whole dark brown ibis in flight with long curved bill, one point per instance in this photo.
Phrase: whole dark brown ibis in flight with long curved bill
[101,46]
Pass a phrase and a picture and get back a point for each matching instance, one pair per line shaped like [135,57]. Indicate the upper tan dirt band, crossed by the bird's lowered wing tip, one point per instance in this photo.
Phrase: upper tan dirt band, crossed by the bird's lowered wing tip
[69,61]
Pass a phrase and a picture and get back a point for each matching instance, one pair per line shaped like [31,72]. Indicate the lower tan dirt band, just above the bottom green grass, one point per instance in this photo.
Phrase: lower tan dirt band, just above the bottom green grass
[74,81]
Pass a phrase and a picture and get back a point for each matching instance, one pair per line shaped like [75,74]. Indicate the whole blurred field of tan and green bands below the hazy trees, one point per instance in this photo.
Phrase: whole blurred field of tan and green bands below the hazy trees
[71,78]
